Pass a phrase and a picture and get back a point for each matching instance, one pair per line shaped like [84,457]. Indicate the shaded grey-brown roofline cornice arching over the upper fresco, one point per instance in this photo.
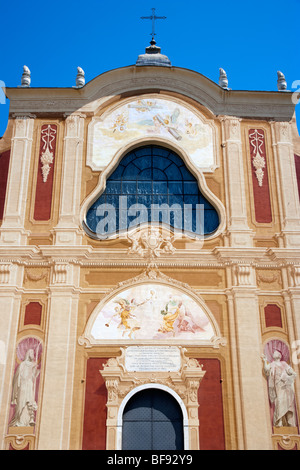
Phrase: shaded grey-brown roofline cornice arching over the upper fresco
[109,86]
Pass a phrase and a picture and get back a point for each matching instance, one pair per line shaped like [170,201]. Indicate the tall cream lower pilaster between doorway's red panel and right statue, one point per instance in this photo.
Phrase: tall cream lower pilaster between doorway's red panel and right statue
[253,392]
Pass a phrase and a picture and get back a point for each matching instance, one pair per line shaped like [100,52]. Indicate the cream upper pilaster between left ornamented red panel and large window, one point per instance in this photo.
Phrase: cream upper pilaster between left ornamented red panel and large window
[68,230]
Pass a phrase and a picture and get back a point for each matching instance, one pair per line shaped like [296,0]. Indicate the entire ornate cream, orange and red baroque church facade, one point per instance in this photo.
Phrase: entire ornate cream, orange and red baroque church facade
[150,259]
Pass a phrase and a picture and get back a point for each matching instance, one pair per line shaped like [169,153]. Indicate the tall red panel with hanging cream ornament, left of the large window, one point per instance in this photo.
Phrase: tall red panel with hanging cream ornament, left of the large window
[44,185]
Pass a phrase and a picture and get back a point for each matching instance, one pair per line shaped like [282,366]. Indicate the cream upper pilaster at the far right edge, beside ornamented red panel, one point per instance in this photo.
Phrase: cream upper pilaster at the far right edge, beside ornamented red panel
[286,183]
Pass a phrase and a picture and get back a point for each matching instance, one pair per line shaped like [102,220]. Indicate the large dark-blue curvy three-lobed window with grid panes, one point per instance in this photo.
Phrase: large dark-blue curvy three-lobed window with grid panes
[151,185]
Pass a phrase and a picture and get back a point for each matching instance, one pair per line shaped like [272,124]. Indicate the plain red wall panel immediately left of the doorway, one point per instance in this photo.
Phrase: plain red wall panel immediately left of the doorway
[94,426]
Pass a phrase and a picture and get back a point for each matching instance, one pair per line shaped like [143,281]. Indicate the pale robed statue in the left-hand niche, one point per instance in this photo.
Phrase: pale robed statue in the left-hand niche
[23,391]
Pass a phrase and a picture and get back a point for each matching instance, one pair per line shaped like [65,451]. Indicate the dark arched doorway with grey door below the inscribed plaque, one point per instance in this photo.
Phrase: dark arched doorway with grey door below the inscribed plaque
[152,420]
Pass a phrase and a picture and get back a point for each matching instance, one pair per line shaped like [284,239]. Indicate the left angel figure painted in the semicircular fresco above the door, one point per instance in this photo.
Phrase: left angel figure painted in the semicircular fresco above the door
[124,312]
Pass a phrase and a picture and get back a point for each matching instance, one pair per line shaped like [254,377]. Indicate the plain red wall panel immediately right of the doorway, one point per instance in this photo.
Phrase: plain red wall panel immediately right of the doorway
[211,430]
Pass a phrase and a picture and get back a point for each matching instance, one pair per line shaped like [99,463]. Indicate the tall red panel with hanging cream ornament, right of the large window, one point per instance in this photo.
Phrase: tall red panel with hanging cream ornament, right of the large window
[261,191]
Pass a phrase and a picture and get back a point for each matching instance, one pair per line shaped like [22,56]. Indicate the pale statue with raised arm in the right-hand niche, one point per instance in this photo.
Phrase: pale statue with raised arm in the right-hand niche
[281,378]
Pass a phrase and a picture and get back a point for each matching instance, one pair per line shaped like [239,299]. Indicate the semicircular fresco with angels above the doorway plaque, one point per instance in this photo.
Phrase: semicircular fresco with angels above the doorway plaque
[154,312]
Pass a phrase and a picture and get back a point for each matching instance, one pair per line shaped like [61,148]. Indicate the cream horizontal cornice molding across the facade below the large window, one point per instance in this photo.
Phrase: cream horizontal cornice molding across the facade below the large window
[88,256]
